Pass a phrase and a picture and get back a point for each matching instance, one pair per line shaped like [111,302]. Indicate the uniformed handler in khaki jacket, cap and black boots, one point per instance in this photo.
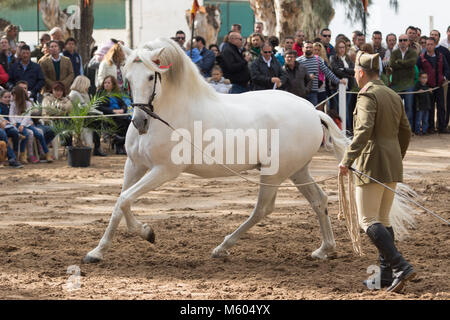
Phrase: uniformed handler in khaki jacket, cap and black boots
[381,137]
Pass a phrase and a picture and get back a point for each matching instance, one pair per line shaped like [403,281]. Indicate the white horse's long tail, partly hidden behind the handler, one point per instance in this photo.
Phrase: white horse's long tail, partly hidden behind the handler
[402,213]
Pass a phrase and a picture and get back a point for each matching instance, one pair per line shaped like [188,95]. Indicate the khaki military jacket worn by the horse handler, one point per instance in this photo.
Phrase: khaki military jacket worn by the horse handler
[381,134]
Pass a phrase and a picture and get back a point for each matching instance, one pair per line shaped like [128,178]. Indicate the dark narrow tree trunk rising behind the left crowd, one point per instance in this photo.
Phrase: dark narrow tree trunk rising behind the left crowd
[83,35]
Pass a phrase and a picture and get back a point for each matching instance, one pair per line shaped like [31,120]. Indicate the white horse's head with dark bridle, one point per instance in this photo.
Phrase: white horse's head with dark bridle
[142,71]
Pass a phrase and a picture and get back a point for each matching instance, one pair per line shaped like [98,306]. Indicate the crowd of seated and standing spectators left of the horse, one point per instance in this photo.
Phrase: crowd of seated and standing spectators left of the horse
[54,78]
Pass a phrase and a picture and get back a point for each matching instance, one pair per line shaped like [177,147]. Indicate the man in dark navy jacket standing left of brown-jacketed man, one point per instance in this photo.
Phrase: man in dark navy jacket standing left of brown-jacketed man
[26,70]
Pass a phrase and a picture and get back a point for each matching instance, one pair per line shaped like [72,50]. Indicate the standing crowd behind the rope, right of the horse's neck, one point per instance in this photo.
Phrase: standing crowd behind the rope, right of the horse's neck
[313,68]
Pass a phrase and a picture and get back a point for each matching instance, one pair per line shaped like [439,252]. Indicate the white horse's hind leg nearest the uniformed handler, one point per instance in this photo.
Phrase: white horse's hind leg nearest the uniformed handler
[319,202]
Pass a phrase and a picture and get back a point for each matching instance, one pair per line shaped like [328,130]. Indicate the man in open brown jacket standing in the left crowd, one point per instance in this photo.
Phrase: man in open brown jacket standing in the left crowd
[57,68]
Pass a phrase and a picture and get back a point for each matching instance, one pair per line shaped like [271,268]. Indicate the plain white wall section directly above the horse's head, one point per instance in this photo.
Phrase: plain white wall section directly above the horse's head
[159,18]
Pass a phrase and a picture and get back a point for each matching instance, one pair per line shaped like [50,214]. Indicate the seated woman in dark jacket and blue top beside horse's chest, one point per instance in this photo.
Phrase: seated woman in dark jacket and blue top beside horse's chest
[115,105]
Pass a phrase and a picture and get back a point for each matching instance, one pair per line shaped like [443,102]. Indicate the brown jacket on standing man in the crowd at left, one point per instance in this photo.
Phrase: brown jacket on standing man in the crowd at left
[66,73]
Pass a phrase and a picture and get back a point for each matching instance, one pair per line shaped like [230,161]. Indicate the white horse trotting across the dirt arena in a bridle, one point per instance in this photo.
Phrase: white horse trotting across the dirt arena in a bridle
[182,97]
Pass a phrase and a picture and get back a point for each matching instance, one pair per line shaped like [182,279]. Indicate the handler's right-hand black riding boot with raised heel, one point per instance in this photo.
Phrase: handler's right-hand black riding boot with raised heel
[384,242]
